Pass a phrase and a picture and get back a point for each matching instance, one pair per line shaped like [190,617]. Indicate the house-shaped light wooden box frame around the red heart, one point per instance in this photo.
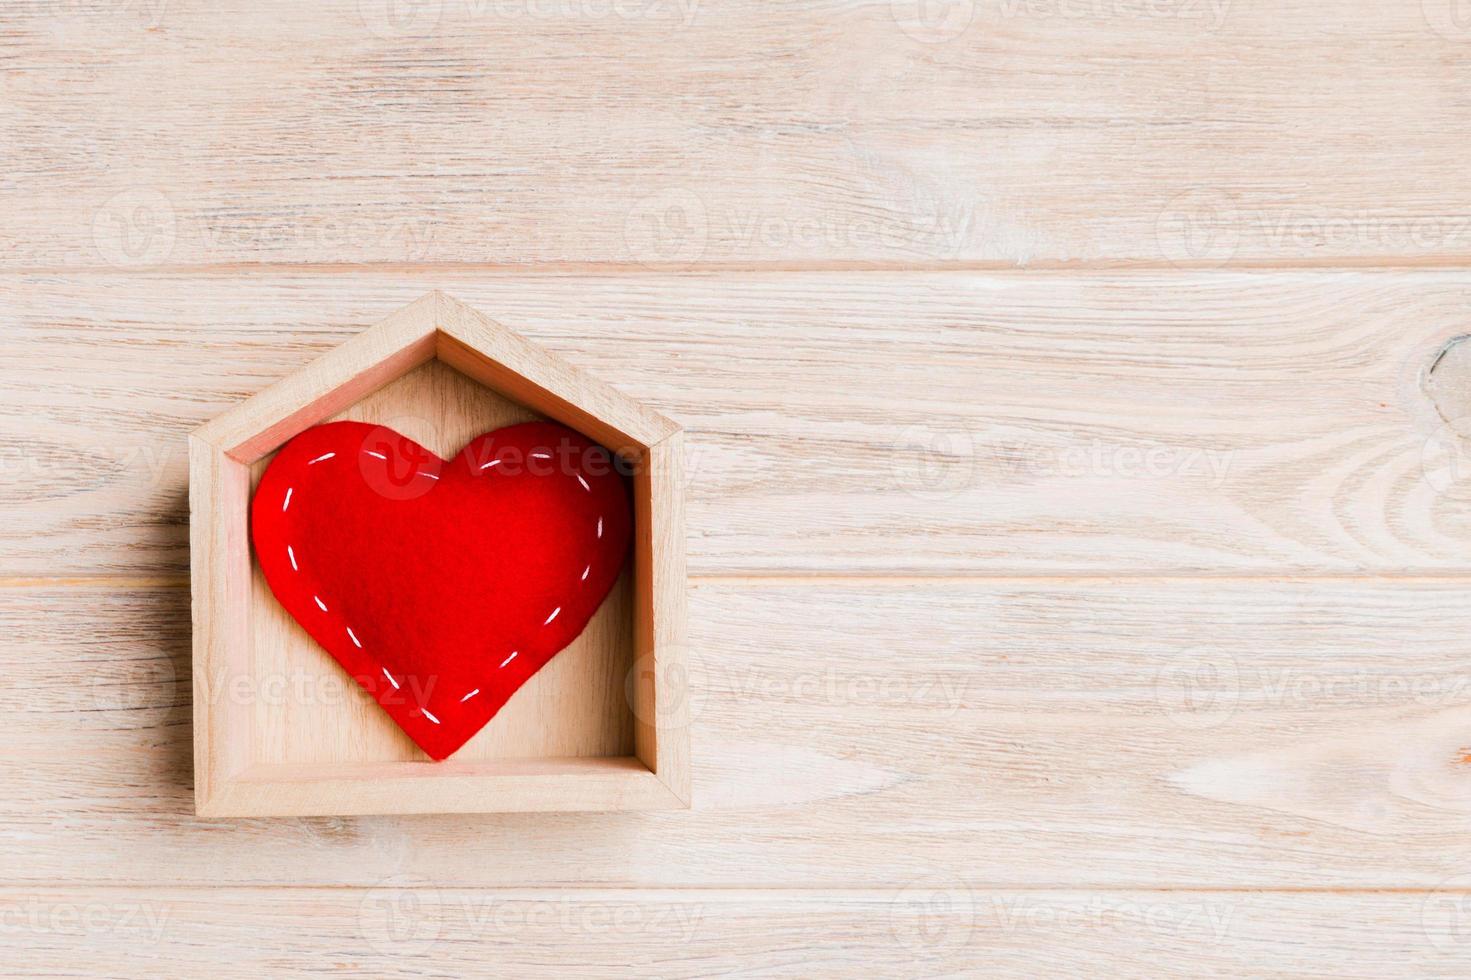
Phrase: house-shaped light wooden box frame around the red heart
[277,729]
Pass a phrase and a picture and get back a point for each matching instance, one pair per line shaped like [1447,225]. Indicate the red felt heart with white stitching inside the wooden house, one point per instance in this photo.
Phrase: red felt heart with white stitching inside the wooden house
[442,586]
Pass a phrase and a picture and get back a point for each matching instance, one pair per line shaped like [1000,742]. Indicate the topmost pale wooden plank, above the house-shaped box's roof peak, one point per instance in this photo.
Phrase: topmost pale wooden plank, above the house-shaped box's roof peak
[682,132]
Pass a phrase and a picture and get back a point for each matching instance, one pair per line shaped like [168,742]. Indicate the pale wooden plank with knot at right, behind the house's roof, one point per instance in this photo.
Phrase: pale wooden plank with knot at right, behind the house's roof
[885,423]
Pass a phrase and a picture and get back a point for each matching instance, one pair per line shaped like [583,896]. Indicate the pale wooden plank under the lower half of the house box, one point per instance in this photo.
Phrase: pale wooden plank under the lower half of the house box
[1291,734]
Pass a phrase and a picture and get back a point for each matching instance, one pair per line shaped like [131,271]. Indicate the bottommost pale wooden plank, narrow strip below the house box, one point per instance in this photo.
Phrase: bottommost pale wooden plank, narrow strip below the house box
[926,929]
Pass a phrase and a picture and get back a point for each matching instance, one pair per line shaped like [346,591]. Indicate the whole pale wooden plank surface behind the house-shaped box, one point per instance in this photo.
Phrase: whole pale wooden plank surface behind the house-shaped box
[1080,497]
